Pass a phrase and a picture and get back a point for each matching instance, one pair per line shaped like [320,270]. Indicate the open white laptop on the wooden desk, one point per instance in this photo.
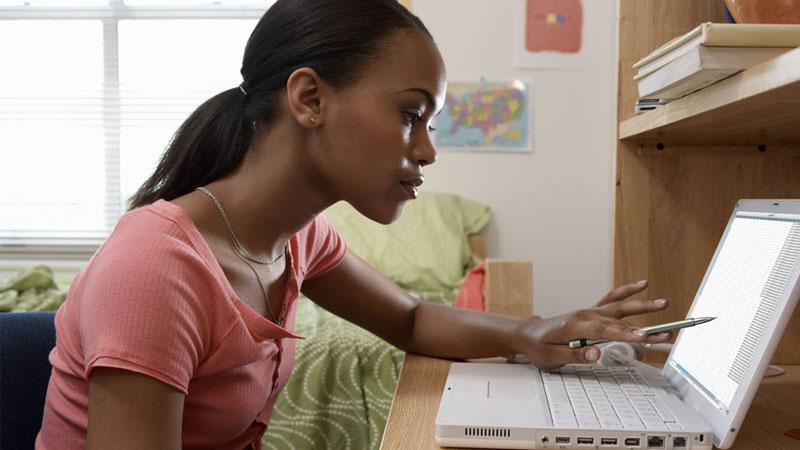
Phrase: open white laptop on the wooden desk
[697,400]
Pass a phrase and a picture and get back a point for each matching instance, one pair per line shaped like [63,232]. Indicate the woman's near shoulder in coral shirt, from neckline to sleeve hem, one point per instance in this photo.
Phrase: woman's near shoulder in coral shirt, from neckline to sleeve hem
[148,301]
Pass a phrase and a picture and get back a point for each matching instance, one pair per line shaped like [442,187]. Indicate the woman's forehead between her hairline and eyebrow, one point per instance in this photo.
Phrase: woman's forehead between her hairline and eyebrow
[407,61]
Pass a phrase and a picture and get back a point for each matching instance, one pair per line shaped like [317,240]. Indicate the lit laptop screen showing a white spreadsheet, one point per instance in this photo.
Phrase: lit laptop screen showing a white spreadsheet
[744,289]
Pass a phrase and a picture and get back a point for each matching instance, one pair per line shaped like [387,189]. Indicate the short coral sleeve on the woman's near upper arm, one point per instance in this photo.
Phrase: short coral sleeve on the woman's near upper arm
[145,310]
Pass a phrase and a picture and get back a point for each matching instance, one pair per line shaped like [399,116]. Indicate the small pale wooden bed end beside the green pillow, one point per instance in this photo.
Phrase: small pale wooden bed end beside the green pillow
[508,287]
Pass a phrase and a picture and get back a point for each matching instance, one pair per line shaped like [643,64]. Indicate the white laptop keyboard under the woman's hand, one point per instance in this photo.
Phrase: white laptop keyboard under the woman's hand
[605,397]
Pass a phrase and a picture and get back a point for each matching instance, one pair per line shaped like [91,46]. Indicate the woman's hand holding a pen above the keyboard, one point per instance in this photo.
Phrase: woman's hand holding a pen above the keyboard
[544,341]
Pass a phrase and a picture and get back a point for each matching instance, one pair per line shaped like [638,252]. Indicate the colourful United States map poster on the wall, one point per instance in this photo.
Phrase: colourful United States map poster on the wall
[485,116]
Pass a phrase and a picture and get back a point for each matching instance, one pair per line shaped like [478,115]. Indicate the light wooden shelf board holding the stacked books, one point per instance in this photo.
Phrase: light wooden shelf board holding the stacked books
[757,106]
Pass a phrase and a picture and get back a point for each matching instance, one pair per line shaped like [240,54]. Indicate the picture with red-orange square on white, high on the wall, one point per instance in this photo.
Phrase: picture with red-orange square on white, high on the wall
[552,34]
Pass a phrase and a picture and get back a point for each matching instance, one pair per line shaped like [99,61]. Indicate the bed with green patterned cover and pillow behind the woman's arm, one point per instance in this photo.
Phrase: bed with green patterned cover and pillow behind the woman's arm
[341,390]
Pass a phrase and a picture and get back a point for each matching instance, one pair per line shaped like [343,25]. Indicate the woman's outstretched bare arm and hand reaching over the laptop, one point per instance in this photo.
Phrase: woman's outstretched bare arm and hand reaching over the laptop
[360,294]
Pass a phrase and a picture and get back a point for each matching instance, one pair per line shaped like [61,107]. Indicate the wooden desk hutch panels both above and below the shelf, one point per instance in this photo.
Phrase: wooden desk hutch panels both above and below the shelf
[672,205]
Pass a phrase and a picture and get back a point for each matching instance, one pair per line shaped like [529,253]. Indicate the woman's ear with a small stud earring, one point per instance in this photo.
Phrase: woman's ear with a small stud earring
[304,95]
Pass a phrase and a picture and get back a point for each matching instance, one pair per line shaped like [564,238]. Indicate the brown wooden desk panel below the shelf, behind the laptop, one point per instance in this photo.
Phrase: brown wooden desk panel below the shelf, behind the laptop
[691,193]
